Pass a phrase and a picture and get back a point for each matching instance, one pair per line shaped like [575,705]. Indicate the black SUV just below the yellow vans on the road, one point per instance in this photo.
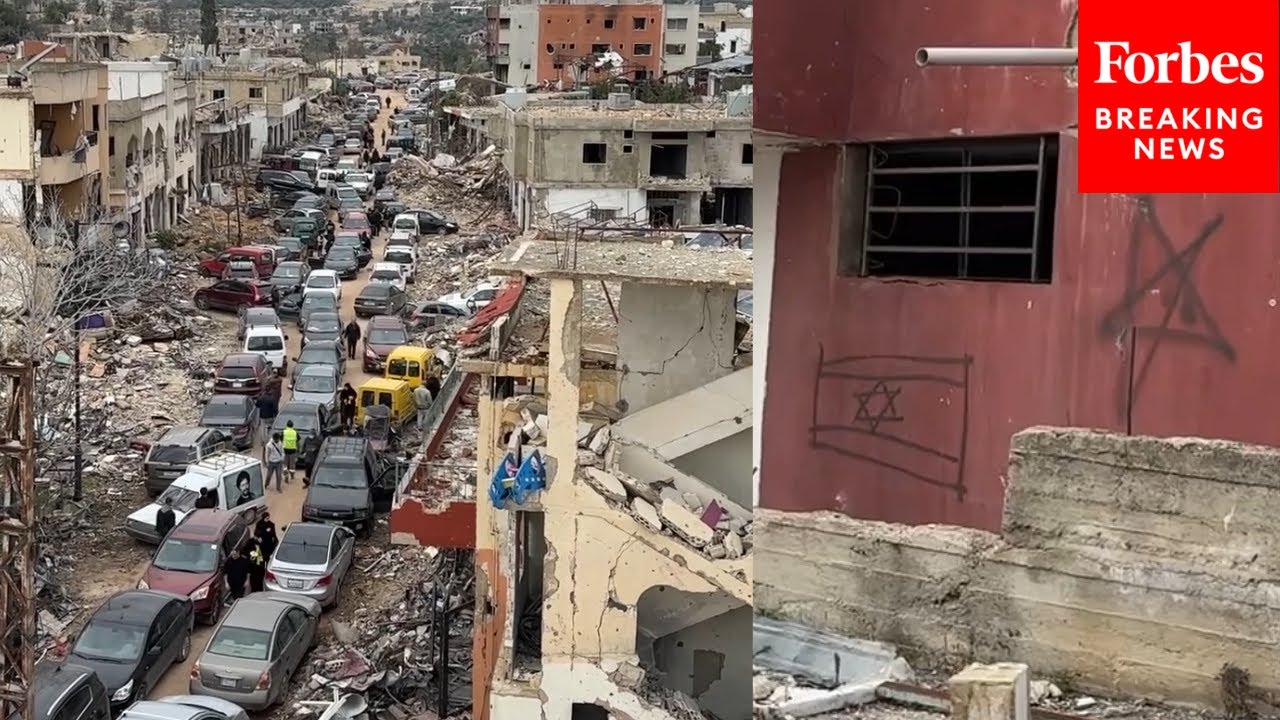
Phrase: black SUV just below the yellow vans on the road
[348,485]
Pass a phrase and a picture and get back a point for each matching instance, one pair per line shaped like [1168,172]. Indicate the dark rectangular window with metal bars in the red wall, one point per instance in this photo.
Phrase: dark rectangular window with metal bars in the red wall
[976,209]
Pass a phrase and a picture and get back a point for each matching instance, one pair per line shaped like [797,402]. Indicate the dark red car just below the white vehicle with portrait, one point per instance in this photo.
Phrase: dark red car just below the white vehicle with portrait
[190,560]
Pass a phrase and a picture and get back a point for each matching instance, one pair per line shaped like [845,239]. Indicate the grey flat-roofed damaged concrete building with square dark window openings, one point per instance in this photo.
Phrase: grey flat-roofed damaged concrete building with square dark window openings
[662,166]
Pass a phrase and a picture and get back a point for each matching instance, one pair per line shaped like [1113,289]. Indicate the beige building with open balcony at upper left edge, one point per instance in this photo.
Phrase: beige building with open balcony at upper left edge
[53,144]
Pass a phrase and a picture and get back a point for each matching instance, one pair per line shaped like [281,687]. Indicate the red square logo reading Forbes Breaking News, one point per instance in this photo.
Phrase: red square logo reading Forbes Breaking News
[1180,97]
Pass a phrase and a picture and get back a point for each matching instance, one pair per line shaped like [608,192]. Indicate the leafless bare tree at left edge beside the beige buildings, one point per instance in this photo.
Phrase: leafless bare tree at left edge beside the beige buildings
[52,277]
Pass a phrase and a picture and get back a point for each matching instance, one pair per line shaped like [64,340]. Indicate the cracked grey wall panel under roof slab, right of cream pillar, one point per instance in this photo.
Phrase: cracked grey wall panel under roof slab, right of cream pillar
[673,340]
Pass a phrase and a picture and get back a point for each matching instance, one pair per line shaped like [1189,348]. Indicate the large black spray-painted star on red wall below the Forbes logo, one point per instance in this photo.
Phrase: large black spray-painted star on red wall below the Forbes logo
[1187,318]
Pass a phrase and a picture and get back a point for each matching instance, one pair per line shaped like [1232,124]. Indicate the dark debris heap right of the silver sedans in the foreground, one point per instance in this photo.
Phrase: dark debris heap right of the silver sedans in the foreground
[395,658]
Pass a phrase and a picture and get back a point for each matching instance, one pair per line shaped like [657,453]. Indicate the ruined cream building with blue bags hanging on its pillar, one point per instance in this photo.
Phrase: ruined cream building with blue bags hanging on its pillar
[606,589]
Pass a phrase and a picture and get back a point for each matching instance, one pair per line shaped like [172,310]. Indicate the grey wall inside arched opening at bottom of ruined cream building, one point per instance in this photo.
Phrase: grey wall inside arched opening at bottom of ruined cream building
[711,662]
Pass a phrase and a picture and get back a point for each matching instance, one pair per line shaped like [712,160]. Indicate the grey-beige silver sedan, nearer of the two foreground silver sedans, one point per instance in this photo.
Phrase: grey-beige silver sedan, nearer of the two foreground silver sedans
[257,650]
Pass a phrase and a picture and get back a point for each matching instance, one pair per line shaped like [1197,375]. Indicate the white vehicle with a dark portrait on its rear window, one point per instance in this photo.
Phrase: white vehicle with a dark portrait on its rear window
[235,479]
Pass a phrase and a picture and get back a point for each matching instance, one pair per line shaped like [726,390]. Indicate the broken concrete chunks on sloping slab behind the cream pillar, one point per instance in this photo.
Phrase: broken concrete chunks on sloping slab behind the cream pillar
[707,526]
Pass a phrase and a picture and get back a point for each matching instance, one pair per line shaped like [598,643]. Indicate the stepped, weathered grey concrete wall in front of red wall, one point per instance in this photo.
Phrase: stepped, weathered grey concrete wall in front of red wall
[1130,566]
